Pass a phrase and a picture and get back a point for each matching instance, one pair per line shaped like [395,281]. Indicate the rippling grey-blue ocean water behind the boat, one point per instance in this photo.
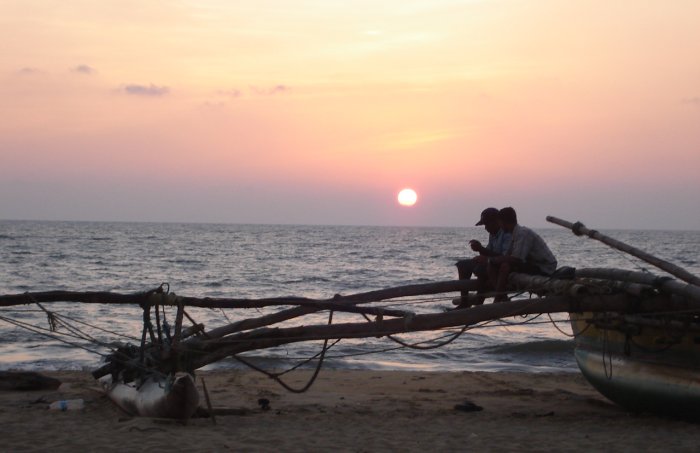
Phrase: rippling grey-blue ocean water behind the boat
[255,261]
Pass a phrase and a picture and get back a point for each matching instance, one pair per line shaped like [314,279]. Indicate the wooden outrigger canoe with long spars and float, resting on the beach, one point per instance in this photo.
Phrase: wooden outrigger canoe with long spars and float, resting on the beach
[637,334]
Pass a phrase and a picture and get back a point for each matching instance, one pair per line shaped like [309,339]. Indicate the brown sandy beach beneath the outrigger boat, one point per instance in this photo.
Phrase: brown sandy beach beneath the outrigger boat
[351,411]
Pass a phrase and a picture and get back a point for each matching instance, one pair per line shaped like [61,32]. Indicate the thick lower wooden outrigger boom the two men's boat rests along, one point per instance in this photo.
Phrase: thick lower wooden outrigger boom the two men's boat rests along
[212,351]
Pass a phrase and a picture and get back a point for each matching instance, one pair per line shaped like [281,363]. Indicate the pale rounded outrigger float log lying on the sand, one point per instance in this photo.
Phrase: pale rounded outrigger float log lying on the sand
[173,397]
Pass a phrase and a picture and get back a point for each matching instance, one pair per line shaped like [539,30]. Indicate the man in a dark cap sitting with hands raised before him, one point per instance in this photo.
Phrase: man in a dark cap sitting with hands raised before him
[499,242]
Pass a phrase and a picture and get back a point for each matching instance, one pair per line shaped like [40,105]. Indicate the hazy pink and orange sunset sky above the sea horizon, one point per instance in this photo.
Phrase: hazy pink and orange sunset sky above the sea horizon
[320,111]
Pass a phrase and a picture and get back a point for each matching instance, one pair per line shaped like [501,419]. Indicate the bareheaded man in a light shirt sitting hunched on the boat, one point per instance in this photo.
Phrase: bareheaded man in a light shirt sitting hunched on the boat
[528,254]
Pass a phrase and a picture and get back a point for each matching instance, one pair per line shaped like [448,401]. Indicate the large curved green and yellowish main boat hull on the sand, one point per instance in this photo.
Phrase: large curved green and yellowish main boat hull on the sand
[640,367]
